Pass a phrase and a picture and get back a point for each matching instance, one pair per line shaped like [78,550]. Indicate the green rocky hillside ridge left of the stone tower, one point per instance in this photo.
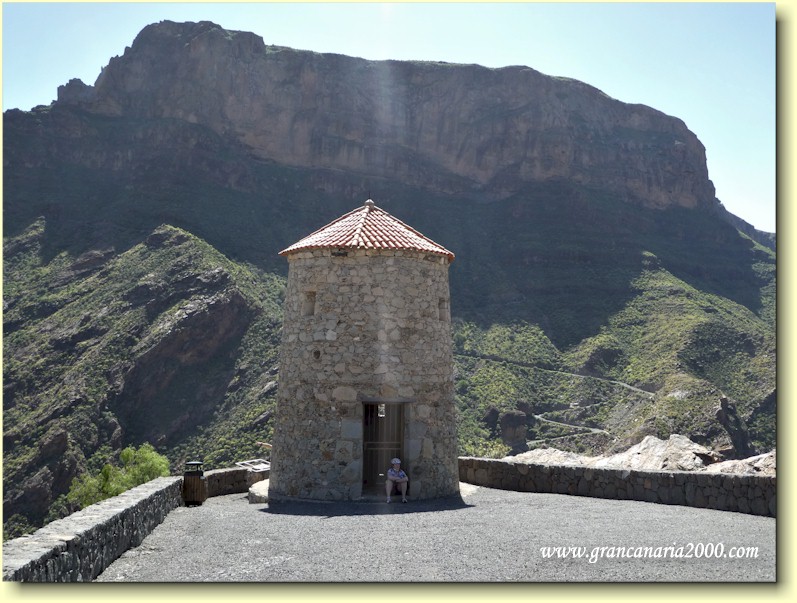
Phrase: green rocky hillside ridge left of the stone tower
[121,348]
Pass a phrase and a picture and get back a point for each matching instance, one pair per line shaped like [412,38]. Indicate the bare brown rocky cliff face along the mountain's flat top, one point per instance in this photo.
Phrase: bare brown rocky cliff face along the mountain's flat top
[450,128]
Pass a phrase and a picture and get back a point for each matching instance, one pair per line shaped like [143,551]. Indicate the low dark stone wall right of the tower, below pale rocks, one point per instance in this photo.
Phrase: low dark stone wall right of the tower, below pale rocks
[722,491]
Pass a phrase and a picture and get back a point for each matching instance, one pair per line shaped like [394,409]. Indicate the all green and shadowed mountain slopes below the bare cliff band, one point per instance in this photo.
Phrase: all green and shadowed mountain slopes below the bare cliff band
[579,307]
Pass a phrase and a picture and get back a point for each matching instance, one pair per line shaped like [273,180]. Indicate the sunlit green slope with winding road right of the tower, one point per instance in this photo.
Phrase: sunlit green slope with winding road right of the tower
[658,366]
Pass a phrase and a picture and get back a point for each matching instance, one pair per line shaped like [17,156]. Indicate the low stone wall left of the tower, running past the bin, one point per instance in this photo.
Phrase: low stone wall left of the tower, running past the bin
[79,547]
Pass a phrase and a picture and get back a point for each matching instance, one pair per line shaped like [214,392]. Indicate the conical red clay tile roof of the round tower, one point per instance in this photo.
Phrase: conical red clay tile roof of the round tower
[368,227]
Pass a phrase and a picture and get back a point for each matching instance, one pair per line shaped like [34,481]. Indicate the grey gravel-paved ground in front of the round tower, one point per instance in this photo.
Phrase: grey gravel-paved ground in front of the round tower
[486,536]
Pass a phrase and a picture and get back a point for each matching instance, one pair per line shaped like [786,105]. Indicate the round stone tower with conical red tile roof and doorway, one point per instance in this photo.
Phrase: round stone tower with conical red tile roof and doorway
[366,367]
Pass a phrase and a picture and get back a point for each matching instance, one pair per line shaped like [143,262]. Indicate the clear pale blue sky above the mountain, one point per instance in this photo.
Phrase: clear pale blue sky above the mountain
[711,64]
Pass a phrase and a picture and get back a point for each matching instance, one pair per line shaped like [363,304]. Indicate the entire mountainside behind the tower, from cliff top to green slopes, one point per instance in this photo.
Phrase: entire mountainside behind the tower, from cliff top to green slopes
[600,292]
